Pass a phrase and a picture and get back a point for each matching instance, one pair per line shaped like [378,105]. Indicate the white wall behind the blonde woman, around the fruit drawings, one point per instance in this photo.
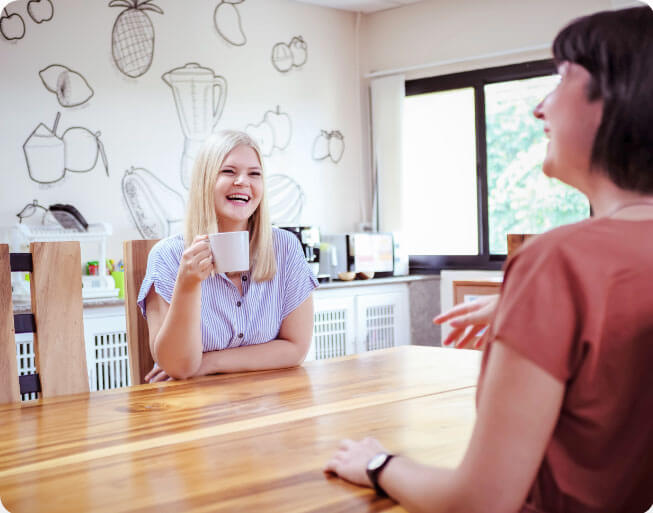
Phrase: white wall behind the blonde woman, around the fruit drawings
[137,117]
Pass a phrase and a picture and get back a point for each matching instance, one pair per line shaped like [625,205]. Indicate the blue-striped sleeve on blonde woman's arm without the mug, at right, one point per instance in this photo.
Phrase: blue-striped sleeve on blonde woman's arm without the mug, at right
[298,279]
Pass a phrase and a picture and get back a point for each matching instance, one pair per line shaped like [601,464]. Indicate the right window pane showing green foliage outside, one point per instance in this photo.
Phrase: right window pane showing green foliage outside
[520,198]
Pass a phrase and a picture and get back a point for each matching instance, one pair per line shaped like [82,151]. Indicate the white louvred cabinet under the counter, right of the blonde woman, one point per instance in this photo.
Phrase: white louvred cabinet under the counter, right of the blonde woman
[359,318]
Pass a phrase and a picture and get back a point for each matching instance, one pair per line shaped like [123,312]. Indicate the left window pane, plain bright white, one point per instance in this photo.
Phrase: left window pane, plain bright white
[439,185]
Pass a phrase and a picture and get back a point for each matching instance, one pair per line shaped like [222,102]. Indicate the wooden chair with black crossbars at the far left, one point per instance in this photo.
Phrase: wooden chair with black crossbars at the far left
[56,321]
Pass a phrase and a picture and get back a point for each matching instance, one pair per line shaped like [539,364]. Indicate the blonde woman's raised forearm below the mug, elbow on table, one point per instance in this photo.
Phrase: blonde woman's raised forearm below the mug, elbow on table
[178,345]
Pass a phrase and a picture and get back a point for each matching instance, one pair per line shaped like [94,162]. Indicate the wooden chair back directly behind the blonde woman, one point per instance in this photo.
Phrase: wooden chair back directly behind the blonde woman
[135,254]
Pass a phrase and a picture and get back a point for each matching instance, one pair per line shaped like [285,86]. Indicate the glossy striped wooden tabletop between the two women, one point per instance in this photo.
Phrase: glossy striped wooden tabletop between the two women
[251,442]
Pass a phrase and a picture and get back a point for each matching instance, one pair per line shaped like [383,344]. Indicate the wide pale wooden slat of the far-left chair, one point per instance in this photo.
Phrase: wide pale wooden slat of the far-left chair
[56,289]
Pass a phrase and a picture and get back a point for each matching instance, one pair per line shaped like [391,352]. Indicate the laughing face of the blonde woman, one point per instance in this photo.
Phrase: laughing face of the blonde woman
[238,189]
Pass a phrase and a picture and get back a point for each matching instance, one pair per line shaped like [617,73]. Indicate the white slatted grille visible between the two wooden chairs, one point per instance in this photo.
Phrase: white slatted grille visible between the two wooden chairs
[111,366]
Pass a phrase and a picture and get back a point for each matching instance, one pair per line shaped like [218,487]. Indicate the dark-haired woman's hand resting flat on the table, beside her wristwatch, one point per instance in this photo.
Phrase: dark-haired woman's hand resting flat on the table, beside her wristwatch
[351,459]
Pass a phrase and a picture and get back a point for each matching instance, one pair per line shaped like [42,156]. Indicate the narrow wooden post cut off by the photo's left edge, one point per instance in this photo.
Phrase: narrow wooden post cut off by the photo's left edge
[9,389]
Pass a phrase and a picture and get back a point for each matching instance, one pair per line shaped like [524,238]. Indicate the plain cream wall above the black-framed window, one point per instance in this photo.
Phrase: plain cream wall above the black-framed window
[434,31]
